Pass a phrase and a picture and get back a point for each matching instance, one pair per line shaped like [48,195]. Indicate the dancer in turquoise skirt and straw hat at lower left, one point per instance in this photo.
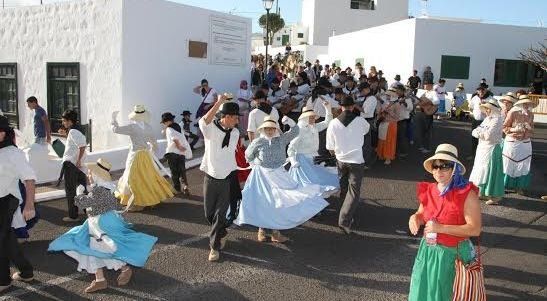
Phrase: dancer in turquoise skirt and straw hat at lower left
[105,240]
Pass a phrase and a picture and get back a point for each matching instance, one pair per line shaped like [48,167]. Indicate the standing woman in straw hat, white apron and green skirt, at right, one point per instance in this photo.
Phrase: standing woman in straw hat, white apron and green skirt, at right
[487,171]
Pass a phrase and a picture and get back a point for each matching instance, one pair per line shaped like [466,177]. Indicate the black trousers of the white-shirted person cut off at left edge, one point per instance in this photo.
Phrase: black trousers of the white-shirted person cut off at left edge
[10,251]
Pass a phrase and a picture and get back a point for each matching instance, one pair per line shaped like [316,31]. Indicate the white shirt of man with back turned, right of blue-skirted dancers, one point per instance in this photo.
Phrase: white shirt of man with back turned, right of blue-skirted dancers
[347,142]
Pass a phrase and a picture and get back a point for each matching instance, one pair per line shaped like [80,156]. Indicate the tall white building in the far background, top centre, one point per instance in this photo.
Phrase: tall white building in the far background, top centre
[324,16]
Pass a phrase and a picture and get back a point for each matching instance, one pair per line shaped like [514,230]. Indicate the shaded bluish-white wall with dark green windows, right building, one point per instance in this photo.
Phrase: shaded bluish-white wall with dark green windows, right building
[483,43]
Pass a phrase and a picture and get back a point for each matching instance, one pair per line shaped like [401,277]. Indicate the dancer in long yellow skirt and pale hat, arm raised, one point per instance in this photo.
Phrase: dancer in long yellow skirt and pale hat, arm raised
[141,178]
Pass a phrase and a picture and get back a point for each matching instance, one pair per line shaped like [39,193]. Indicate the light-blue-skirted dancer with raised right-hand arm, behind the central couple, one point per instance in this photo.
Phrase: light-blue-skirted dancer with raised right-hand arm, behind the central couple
[304,147]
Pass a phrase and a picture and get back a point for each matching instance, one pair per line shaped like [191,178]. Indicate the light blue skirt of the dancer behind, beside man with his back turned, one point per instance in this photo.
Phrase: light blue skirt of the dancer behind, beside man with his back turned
[308,174]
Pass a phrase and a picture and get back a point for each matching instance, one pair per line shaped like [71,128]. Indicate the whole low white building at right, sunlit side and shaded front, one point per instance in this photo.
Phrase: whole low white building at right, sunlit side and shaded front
[459,51]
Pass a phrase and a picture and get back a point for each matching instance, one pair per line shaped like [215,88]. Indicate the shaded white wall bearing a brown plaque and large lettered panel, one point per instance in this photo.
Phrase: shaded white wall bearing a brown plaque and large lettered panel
[156,68]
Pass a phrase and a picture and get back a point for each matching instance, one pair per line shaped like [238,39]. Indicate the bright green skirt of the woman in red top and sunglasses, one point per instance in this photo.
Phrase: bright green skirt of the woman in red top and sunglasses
[433,272]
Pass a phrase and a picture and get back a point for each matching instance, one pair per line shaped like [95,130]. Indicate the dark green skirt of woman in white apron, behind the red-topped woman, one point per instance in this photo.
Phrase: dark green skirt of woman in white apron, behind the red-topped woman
[494,186]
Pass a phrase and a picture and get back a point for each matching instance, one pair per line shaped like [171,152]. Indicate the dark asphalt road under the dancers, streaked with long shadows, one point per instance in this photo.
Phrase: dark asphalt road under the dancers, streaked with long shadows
[319,263]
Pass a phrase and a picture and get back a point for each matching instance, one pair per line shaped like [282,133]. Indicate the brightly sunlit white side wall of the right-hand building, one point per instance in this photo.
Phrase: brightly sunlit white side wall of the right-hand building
[388,47]
